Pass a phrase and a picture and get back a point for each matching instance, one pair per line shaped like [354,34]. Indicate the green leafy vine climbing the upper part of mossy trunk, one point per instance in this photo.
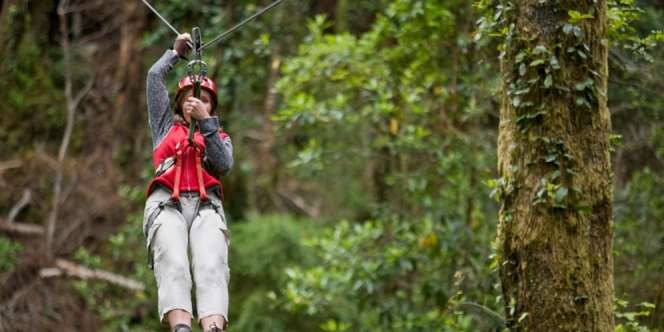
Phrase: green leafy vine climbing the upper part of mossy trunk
[537,70]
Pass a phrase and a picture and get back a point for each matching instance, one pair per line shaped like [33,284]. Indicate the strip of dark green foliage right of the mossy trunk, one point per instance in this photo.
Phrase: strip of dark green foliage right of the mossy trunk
[638,205]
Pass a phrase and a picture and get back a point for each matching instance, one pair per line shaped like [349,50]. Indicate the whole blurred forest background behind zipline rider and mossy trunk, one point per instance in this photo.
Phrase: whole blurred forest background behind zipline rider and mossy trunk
[365,143]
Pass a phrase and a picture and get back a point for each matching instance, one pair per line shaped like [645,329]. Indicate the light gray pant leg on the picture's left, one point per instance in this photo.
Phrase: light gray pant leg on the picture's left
[171,263]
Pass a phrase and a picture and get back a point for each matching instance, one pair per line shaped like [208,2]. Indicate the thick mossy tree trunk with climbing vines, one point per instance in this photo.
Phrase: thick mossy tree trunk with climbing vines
[555,233]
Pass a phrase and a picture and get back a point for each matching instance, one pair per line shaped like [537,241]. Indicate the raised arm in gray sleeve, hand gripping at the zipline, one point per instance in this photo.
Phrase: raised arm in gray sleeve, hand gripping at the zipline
[160,117]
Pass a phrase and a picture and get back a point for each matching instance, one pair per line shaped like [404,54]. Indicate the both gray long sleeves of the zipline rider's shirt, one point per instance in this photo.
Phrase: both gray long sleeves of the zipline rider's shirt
[218,152]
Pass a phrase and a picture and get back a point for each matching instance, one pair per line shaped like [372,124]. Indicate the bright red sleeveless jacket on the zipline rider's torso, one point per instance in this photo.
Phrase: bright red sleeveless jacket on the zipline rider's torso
[178,134]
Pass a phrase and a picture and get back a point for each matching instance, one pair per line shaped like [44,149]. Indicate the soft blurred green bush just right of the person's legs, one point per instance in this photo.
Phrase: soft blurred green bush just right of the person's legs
[262,247]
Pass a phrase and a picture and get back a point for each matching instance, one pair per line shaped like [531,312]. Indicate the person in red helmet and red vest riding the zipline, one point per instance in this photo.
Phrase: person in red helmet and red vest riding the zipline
[184,199]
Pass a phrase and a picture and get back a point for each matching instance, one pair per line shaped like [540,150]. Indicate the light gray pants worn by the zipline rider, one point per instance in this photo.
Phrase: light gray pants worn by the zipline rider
[169,230]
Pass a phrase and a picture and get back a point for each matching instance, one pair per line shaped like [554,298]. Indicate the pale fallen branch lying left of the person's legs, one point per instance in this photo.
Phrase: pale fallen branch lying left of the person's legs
[68,268]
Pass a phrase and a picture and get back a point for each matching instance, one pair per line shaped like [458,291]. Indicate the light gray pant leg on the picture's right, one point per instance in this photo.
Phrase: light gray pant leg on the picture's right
[209,250]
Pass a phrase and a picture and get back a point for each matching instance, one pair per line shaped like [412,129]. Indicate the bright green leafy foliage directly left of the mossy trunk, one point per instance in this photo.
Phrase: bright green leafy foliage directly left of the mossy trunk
[377,103]
